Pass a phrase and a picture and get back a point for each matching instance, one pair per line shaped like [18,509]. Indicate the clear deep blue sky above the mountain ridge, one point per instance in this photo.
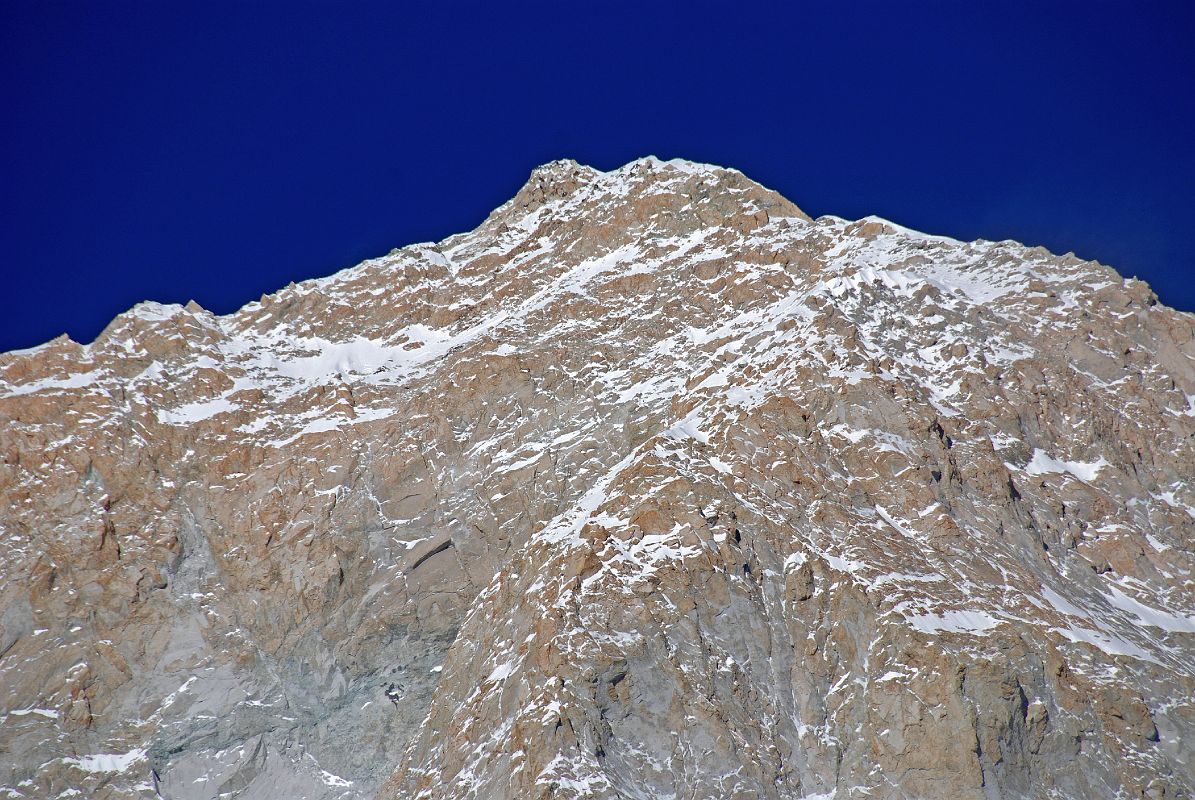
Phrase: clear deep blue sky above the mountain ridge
[216,151]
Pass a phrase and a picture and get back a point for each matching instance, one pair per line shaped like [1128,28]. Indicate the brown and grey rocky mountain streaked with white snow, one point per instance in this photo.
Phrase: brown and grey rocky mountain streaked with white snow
[649,487]
